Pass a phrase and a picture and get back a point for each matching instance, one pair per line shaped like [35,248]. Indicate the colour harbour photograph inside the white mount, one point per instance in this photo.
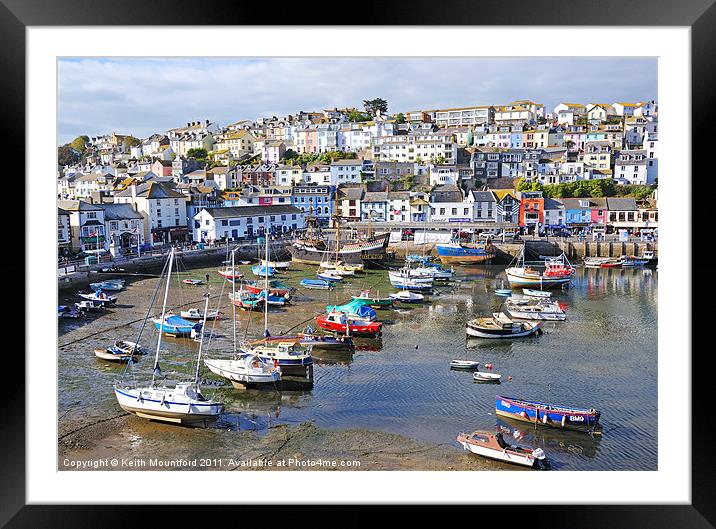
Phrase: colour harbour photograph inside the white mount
[356,263]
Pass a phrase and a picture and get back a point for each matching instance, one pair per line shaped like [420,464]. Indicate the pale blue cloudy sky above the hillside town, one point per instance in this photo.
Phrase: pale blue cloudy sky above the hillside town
[149,95]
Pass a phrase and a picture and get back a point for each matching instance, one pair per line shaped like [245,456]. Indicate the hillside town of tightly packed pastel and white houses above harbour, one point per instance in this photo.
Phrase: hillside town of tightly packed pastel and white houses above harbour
[579,169]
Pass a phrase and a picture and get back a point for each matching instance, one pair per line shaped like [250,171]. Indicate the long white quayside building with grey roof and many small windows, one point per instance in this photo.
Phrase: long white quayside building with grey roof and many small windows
[242,222]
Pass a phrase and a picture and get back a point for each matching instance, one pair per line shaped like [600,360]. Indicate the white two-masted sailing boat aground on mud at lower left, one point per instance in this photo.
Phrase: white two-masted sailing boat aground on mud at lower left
[182,403]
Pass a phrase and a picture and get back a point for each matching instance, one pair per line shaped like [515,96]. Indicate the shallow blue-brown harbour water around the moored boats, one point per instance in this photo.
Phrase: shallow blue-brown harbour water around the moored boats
[603,356]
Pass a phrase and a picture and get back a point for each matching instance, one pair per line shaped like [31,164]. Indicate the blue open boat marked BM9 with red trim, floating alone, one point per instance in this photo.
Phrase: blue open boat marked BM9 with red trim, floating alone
[547,414]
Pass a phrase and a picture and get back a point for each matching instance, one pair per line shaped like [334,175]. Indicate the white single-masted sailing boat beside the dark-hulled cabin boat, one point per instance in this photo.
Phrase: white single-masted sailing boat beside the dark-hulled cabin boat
[243,368]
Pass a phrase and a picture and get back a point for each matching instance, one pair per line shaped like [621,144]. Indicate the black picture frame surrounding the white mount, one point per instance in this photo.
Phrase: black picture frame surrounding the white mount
[699,15]
